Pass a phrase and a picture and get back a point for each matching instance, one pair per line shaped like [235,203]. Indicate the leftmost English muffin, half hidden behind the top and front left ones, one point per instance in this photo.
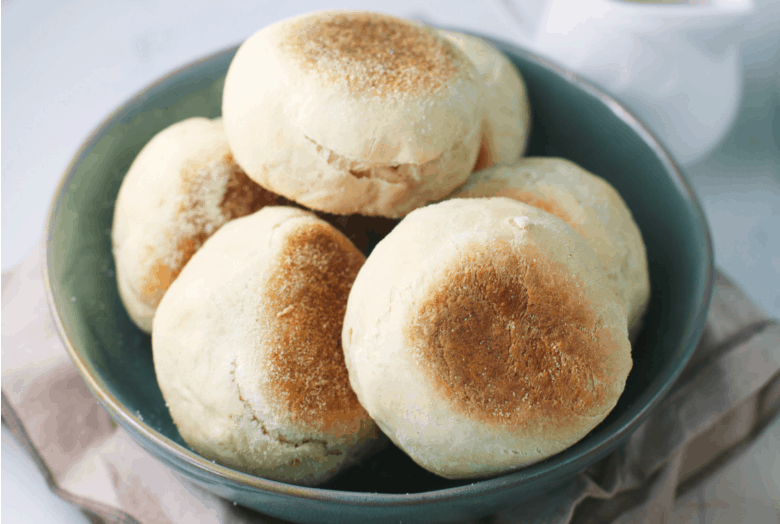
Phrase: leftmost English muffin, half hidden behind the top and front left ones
[181,188]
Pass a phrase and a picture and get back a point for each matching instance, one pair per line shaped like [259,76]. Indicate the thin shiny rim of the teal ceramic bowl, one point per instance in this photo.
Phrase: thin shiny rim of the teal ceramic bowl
[557,466]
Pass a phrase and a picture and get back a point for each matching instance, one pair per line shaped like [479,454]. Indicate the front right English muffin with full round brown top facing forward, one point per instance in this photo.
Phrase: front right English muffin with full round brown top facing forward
[482,336]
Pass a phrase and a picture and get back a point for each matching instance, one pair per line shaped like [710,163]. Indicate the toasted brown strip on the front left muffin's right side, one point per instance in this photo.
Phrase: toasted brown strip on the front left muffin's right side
[308,288]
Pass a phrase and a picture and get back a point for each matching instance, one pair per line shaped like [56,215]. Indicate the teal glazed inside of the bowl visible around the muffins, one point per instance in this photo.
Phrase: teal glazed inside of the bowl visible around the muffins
[569,120]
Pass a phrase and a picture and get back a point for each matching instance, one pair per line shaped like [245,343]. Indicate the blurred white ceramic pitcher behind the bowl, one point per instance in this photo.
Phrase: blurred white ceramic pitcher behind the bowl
[674,64]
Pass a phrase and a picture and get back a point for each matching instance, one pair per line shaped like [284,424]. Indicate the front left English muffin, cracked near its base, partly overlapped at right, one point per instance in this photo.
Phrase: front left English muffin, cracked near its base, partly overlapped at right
[247,349]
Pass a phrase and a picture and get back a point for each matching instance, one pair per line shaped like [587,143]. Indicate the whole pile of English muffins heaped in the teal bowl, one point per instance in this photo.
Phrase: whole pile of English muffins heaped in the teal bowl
[489,328]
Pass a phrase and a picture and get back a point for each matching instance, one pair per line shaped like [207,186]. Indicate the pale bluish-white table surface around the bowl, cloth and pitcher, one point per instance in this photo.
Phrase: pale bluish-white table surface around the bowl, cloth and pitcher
[67,65]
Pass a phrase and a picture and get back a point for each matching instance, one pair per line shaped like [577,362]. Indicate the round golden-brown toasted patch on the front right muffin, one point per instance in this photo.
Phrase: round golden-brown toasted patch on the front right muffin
[510,338]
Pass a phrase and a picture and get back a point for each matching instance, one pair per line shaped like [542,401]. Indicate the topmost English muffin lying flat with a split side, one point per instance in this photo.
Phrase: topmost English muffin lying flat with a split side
[353,112]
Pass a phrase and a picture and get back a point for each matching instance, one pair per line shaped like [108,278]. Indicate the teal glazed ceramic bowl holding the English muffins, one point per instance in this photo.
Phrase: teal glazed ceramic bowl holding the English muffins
[571,119]
